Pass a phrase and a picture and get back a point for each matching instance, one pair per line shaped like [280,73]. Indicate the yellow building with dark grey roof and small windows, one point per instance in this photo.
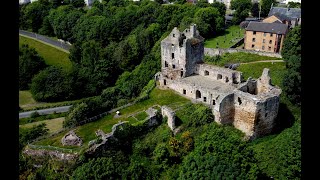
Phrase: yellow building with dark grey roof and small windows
[263,36]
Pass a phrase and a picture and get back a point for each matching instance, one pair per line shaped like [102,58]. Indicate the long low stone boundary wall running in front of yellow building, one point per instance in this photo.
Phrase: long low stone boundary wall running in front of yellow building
[219,51]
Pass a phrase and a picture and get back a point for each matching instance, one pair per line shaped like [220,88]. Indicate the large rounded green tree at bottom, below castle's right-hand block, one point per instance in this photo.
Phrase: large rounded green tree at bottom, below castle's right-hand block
[219,153]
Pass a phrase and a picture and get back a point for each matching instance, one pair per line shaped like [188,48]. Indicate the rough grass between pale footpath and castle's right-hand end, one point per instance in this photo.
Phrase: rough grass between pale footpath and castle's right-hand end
[255,71]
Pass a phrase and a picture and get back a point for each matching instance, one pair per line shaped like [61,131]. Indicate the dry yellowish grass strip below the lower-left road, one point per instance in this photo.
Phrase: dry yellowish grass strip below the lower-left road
[53,125]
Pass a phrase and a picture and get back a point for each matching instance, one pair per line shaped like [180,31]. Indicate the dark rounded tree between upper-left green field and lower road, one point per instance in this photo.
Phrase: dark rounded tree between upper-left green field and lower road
[50,85]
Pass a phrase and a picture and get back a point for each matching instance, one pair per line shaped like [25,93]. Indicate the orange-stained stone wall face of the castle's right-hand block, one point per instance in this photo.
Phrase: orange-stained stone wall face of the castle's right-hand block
[244,112]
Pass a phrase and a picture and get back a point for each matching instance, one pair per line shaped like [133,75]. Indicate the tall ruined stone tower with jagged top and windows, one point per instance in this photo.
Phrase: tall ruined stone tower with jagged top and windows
[180,52]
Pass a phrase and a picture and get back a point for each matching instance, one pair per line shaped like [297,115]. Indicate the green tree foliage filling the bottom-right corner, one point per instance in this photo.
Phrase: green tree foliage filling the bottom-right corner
[280,157]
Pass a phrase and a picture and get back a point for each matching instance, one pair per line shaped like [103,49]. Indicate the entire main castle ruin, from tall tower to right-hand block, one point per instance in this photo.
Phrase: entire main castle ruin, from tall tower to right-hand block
[251,106]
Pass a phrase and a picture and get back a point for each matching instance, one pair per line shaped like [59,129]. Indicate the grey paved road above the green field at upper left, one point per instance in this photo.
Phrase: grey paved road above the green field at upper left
[45,39]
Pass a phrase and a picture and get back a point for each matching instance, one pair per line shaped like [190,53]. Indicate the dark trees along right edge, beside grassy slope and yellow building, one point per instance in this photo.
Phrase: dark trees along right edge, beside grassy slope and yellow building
[291,52]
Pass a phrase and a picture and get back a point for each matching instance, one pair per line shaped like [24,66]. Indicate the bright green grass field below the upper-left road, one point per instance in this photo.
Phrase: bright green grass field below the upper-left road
[51,55]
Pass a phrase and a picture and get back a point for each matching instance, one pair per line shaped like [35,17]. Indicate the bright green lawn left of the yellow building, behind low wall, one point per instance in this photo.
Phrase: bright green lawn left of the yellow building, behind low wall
[228,39]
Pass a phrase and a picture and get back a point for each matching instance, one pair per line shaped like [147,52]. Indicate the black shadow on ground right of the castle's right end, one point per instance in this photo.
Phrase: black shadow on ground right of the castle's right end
[284,120]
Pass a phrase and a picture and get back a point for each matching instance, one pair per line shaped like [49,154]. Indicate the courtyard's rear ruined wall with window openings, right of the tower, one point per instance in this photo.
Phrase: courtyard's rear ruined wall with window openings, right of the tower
[224,75]
